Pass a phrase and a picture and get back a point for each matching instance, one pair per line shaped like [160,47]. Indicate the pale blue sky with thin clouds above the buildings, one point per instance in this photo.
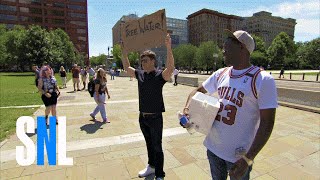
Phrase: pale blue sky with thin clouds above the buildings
[103,15]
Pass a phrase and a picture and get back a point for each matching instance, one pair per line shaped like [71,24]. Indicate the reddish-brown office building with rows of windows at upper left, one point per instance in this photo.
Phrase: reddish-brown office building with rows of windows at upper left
[69,15]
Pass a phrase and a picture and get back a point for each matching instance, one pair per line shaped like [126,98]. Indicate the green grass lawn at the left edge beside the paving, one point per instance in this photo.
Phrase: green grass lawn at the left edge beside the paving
[17,89]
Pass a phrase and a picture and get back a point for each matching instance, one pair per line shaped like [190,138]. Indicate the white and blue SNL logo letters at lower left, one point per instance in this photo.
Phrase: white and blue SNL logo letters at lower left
[43,140]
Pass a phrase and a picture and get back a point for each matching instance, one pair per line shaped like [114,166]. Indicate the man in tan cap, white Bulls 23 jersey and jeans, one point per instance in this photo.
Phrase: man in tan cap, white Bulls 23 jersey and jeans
[248,102]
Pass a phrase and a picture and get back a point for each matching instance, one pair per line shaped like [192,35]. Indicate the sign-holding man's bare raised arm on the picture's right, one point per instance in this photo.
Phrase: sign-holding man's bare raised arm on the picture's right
[166,74]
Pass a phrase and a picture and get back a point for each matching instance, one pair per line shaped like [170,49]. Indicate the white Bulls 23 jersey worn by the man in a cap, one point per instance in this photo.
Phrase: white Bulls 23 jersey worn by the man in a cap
[241,93]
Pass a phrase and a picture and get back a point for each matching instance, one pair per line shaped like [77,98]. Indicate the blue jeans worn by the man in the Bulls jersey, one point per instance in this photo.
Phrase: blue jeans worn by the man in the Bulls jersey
[219,168]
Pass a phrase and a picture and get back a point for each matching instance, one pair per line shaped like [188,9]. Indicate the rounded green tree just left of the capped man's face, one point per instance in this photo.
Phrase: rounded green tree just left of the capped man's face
[204,55]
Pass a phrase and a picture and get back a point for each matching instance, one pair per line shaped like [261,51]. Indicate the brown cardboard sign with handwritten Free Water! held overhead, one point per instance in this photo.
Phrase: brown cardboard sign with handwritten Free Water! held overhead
[145,33]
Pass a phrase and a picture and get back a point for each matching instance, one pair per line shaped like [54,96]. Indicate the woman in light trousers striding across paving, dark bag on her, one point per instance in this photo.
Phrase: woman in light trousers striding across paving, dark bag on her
[100,95]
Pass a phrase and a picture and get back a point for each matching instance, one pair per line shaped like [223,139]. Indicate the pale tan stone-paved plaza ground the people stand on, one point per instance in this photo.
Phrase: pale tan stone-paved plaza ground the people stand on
[117,150]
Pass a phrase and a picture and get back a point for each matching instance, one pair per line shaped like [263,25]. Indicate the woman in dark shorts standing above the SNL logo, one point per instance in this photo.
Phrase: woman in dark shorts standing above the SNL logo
[47,86]
